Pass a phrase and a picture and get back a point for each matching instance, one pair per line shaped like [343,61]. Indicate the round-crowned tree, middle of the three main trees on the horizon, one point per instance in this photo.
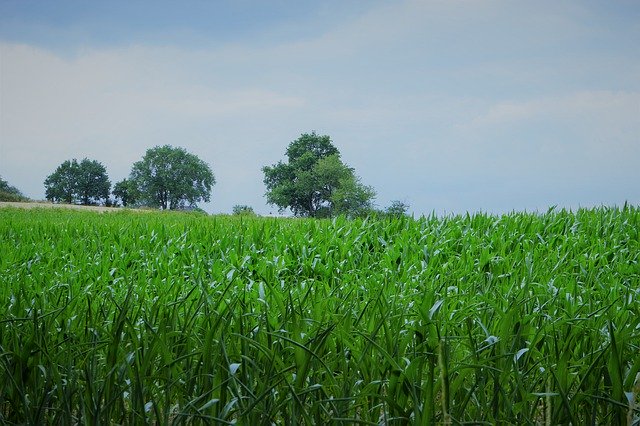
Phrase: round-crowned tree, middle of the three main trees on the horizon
[171,178]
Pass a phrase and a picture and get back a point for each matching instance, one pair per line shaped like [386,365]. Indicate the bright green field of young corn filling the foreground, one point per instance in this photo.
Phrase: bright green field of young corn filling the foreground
[159,318]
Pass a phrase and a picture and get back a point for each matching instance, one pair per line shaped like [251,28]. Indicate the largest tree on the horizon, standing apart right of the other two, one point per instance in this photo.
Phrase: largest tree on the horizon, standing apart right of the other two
[314,182]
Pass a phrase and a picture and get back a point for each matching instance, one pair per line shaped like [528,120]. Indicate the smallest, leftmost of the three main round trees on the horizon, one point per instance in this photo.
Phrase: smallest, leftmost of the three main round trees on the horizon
[85,183]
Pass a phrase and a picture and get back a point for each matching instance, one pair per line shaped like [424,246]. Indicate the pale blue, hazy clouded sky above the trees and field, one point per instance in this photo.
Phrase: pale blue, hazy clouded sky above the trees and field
[450,106]
